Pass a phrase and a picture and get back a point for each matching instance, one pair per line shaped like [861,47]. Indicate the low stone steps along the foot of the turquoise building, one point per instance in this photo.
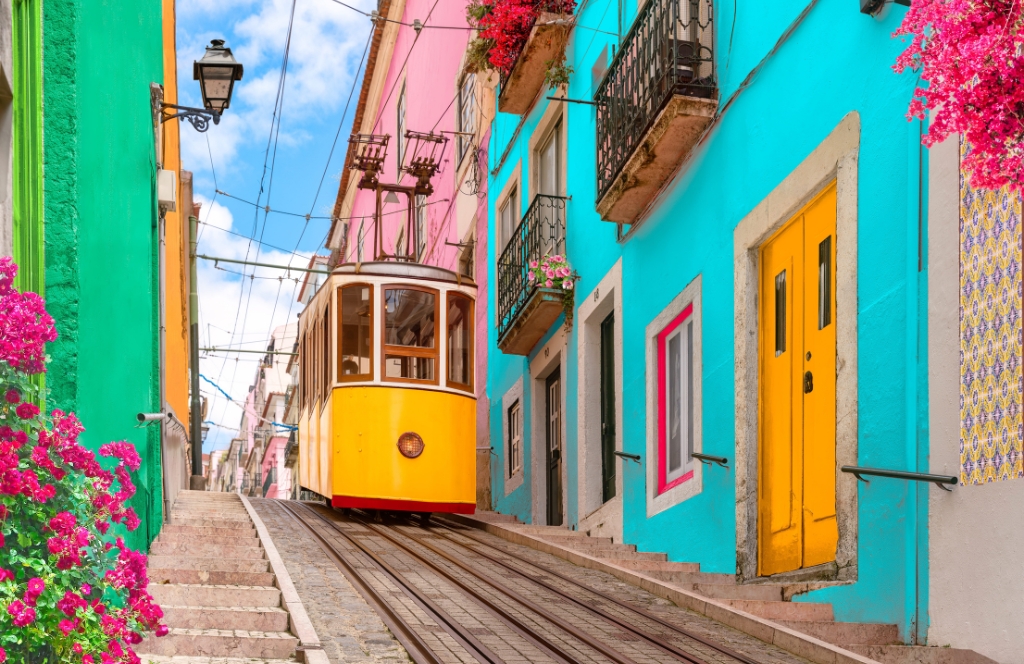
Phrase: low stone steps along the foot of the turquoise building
[769,601]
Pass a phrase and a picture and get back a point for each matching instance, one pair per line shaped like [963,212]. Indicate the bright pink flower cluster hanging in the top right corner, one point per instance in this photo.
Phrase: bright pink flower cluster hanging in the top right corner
[971,55]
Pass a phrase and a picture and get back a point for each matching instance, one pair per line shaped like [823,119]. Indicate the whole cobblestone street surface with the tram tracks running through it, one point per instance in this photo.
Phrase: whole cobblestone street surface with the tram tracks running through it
[352,632]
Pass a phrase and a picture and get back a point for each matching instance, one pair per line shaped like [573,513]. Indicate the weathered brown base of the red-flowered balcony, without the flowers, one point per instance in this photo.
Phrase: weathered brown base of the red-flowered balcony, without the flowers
[547,39]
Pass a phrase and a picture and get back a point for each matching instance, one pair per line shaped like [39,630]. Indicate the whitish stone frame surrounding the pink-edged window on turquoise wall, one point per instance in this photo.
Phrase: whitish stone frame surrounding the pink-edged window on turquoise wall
[673,495]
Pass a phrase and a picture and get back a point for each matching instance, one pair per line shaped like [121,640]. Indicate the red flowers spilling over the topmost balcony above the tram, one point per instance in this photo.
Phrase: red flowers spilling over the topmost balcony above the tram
[509,23]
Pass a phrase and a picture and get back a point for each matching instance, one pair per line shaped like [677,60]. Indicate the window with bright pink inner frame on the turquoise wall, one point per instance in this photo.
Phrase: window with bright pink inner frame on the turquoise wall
[675,352]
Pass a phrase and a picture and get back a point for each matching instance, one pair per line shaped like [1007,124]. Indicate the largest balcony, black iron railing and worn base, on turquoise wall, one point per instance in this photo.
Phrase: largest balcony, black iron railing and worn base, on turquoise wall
[657,100]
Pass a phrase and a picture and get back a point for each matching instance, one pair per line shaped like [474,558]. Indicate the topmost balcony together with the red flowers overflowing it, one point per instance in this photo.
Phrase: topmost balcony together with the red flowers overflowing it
[527,52]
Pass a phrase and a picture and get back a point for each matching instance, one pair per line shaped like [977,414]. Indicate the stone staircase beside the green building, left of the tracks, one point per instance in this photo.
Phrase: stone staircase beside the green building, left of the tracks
[210,574]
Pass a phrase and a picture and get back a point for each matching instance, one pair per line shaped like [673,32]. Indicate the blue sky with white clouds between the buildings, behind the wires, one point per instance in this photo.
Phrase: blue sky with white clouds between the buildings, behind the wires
[327,44]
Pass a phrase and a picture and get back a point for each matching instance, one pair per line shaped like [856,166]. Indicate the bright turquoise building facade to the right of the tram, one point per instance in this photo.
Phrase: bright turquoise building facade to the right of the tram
[804,100]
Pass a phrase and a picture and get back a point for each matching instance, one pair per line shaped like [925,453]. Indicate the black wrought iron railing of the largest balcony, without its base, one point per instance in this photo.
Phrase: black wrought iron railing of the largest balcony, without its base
[668,52]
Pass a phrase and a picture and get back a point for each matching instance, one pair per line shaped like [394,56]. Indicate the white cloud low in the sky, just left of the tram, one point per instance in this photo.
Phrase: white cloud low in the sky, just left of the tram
[271,304]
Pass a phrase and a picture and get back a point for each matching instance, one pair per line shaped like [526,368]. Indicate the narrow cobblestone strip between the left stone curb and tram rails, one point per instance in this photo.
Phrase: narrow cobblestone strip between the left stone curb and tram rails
[349,629]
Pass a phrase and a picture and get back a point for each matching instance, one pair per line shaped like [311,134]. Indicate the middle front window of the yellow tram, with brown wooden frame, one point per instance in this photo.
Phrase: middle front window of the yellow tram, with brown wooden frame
[410,321]
